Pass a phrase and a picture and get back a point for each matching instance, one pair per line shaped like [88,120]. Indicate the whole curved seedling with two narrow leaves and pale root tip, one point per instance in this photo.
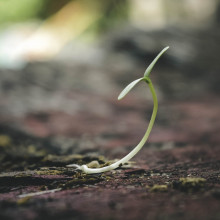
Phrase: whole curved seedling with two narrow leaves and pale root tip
[147,80]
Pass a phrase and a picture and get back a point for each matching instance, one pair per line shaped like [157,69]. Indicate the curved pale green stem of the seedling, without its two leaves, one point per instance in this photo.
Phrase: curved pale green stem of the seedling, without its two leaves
[125,159]
